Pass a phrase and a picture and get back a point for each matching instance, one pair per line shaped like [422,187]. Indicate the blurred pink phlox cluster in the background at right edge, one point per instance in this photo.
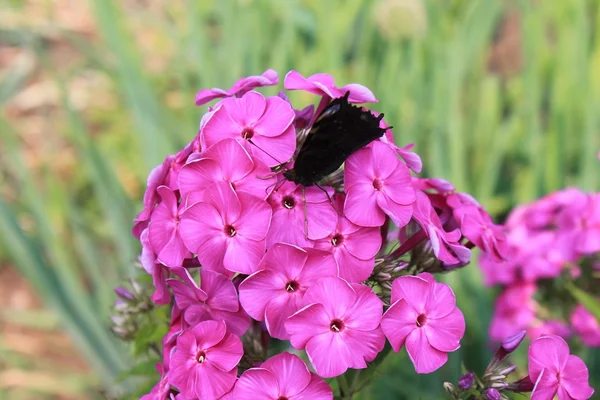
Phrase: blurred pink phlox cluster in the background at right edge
[554,247]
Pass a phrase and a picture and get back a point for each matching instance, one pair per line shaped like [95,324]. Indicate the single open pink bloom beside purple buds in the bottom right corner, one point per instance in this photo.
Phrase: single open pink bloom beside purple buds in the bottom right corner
[555,371]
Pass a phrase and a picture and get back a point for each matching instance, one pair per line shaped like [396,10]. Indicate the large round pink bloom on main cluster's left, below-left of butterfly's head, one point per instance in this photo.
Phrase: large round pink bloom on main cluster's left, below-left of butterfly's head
[227,230]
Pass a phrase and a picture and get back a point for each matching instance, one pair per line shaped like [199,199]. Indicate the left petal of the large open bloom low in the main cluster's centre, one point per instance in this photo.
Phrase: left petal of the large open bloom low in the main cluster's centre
[307,322]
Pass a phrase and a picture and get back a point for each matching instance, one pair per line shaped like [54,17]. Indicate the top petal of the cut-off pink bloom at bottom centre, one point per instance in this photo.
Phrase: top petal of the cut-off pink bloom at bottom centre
[291,372]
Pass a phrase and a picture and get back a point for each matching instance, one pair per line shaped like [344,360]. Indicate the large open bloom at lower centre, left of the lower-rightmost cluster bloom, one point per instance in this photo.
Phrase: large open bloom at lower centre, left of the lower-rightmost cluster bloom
[339,327]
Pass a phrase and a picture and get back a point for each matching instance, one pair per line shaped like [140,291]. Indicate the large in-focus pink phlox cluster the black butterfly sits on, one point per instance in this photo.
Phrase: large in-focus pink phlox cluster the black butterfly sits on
[243,255]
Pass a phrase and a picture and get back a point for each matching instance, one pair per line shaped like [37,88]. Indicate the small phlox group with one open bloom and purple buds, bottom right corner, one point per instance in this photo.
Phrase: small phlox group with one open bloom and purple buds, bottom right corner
[552,371]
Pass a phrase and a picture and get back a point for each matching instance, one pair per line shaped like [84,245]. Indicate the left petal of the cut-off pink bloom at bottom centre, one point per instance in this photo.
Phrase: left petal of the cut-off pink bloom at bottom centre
[256,384]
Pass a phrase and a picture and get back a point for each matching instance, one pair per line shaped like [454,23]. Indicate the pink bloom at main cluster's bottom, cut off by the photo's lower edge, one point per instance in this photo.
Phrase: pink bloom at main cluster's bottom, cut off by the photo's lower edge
[284,376]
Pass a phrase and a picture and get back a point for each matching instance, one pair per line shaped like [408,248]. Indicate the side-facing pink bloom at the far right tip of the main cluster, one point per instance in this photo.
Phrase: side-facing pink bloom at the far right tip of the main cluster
[477,226]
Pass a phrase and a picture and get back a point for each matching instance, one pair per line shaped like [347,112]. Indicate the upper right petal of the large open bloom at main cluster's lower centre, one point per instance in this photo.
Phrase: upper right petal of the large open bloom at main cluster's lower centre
[365,313]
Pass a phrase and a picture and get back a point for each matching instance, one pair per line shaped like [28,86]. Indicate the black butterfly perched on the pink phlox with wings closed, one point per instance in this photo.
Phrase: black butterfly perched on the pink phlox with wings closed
[340,130]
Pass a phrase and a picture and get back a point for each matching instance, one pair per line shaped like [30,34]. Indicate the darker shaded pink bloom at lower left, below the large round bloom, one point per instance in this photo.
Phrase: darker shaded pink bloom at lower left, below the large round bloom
[215,299]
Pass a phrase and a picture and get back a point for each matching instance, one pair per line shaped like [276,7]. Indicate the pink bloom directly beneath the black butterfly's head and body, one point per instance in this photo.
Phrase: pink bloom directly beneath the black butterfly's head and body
[300,215]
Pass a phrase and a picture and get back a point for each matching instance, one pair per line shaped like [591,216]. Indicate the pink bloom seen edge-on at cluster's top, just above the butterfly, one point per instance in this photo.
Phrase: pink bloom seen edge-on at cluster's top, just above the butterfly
[323,85]
